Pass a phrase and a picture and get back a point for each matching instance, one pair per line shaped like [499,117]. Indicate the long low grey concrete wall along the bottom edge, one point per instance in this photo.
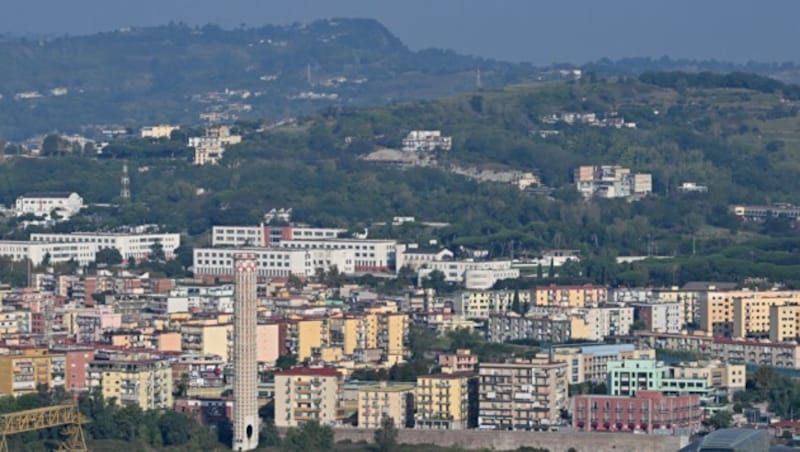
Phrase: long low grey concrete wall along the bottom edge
[505,440]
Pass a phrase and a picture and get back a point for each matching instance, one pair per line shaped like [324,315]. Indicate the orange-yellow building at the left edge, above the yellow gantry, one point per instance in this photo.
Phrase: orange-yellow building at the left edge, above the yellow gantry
[23,370]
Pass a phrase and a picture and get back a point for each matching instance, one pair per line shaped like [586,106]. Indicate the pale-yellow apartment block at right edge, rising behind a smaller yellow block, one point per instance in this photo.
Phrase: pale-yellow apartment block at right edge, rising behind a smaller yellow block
[740,313]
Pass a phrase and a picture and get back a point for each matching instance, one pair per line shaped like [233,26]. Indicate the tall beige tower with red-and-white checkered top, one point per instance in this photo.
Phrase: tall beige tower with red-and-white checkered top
[245,380]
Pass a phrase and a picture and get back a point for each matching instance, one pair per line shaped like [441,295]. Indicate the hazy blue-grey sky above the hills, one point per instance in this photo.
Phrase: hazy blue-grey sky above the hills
[536,31]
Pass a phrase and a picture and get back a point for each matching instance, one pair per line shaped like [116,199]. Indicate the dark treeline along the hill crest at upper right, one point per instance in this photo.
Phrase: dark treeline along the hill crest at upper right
[743,80]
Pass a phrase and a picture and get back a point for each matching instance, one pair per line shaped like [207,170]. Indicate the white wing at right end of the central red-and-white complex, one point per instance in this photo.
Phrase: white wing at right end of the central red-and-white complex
[368,255]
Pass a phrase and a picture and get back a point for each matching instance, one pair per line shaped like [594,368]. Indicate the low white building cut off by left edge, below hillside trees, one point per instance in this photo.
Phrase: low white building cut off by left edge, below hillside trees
[82,253]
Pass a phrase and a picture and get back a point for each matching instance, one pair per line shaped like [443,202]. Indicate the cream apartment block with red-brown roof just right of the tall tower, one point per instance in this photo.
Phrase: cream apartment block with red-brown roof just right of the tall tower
[307,394]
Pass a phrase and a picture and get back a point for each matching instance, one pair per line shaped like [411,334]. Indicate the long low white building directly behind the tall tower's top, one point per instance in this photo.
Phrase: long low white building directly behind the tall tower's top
[274,262]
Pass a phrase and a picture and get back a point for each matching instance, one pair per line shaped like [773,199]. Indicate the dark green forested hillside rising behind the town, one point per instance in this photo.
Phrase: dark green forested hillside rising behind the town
[744,144]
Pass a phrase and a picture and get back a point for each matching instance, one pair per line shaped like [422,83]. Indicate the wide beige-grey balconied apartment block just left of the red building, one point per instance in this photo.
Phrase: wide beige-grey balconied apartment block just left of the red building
[521,395]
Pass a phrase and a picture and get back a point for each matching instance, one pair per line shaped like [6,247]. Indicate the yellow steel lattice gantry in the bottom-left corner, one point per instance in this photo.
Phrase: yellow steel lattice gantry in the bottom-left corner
[67,416]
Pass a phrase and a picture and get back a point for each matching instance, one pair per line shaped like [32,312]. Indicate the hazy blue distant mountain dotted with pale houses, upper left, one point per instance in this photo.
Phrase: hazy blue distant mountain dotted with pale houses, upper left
[174,73]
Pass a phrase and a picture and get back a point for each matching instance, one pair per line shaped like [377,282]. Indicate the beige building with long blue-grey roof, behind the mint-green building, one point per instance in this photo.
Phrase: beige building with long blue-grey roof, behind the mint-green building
[590,362]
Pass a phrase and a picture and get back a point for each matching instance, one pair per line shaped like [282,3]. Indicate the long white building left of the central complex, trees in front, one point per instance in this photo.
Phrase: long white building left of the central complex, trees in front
[137,246]
